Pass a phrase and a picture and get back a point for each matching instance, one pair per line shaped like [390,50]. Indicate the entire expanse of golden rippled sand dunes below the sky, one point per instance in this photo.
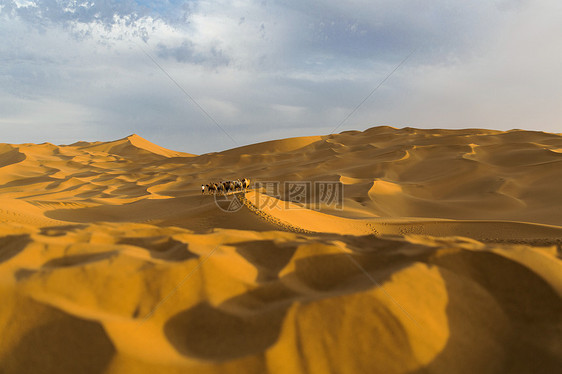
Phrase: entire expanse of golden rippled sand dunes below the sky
[446,256]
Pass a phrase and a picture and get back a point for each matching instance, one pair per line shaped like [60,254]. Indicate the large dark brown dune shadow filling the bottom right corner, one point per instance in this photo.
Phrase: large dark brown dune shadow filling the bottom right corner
[526,341]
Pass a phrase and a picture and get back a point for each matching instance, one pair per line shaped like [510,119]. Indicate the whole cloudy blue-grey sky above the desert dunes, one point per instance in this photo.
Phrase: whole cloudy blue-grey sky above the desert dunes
[204,76]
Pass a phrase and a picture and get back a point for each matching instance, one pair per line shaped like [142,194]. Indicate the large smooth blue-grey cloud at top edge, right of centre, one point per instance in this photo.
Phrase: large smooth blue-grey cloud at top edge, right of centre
[382,30]
